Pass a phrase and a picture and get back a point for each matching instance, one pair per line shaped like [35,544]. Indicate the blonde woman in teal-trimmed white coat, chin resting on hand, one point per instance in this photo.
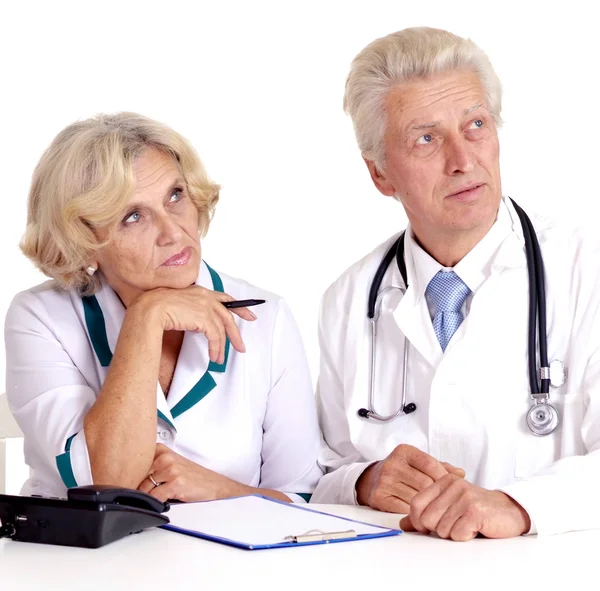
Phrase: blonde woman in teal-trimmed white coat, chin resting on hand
[127,369]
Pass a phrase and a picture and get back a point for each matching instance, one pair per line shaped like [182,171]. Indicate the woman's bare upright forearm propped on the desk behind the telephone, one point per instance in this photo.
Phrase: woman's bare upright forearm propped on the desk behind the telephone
[120,428]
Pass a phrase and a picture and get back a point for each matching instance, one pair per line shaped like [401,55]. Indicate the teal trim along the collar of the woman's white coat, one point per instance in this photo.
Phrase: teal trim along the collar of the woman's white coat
[96,326]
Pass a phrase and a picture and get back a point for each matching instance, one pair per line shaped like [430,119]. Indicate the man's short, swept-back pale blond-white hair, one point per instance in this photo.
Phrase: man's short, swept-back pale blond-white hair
[418,52]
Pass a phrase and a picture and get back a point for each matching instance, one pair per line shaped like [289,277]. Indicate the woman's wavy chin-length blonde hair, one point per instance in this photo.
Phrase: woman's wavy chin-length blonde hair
[85,179]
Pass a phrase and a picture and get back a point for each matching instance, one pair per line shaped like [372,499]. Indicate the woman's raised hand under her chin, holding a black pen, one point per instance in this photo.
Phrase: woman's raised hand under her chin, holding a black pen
[195,309]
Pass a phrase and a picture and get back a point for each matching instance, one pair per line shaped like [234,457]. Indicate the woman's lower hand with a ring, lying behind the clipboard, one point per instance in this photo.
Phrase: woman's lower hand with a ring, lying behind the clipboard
[184,480]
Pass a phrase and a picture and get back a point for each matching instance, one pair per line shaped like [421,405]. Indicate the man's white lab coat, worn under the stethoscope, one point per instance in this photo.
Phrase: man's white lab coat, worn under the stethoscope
[472,399]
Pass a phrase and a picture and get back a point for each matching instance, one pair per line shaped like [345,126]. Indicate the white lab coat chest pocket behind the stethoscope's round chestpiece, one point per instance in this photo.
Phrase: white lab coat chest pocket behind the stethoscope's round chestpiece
[535,453]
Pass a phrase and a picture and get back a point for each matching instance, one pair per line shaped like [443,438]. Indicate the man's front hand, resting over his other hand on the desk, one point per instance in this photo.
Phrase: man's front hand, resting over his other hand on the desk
[456,509]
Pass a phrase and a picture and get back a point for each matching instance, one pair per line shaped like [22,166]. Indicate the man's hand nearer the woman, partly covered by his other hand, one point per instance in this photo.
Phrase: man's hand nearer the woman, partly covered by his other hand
[391,484]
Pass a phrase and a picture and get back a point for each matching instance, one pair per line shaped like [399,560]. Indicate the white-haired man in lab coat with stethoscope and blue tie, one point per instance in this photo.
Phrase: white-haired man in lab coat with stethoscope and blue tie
[455,409]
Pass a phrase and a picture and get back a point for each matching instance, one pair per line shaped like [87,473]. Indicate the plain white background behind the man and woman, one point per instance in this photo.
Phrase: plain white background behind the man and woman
[257,87]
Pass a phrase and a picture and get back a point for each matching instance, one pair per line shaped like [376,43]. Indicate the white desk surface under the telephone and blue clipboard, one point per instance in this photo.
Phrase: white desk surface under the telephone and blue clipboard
[159,560]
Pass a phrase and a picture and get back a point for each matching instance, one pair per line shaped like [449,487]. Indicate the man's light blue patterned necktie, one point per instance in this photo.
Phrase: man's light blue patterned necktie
[448,292]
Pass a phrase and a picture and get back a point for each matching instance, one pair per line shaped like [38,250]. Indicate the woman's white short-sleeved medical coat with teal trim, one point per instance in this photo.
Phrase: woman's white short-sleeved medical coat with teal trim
[258,425]
